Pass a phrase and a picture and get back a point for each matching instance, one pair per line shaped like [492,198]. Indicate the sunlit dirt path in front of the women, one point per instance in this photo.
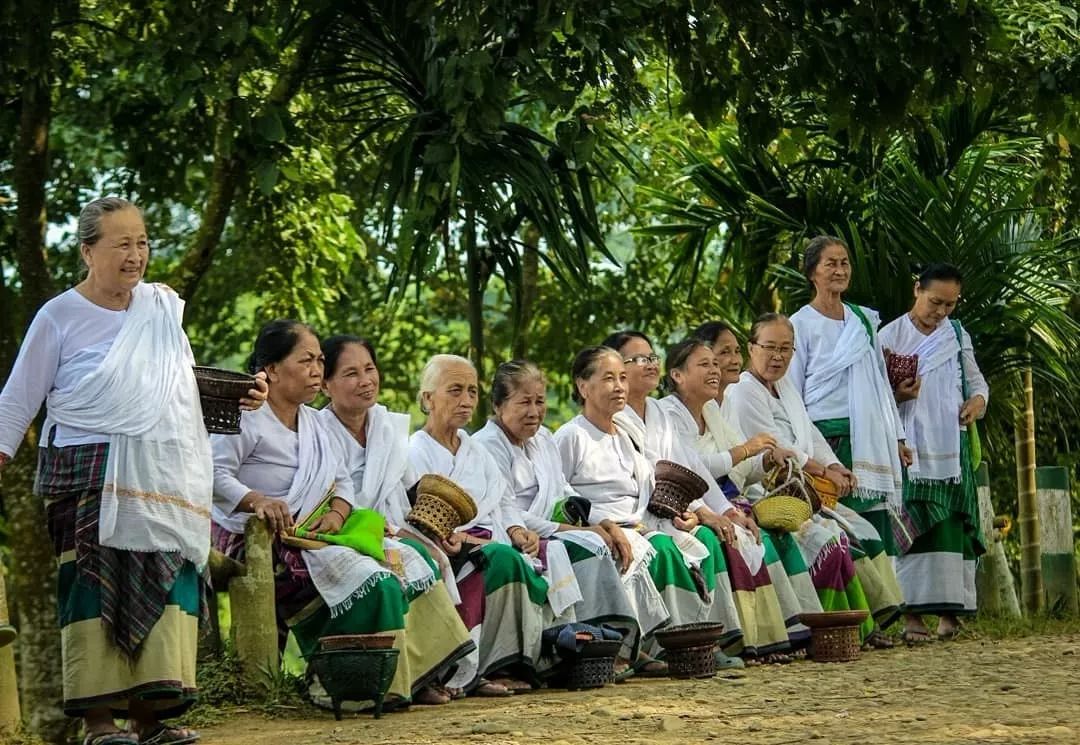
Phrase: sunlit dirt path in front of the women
[1015,692]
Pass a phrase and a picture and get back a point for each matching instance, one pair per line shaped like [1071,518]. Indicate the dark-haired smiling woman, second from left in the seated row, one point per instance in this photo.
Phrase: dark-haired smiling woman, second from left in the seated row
[374,443]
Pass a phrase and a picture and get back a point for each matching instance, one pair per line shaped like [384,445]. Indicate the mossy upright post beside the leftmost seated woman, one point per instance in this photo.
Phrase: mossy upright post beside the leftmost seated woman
[252,602]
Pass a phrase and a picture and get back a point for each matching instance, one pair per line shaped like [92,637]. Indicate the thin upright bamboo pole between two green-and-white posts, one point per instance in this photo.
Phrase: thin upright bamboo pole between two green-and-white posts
[1031,560]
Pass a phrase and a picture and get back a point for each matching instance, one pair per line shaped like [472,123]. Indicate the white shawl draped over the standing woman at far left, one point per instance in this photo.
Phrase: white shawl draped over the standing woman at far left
[159,479]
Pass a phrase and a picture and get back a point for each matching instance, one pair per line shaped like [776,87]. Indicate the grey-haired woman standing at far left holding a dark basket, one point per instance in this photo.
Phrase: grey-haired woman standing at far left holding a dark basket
[127,476]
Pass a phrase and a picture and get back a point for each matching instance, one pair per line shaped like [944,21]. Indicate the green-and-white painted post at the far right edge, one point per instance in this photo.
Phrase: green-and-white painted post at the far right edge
[1056,540]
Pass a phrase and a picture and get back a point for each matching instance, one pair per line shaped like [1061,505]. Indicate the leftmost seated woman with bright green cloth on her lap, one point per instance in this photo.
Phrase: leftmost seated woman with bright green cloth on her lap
[288,468]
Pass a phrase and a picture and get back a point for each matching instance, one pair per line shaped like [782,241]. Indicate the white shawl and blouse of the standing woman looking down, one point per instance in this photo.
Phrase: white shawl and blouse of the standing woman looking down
[931,422]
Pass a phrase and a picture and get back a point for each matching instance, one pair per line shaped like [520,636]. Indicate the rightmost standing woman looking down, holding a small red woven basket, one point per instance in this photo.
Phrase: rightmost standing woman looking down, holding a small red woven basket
[938,409]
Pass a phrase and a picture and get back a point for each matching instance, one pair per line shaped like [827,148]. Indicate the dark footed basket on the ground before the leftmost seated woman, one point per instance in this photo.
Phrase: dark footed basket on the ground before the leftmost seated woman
[356,675]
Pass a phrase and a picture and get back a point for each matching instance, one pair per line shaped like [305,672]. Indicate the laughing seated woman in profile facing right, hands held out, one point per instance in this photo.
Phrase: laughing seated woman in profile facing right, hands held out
[695,378]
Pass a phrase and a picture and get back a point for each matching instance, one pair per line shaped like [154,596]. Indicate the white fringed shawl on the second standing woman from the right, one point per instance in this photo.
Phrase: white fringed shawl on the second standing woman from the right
[871,409]
